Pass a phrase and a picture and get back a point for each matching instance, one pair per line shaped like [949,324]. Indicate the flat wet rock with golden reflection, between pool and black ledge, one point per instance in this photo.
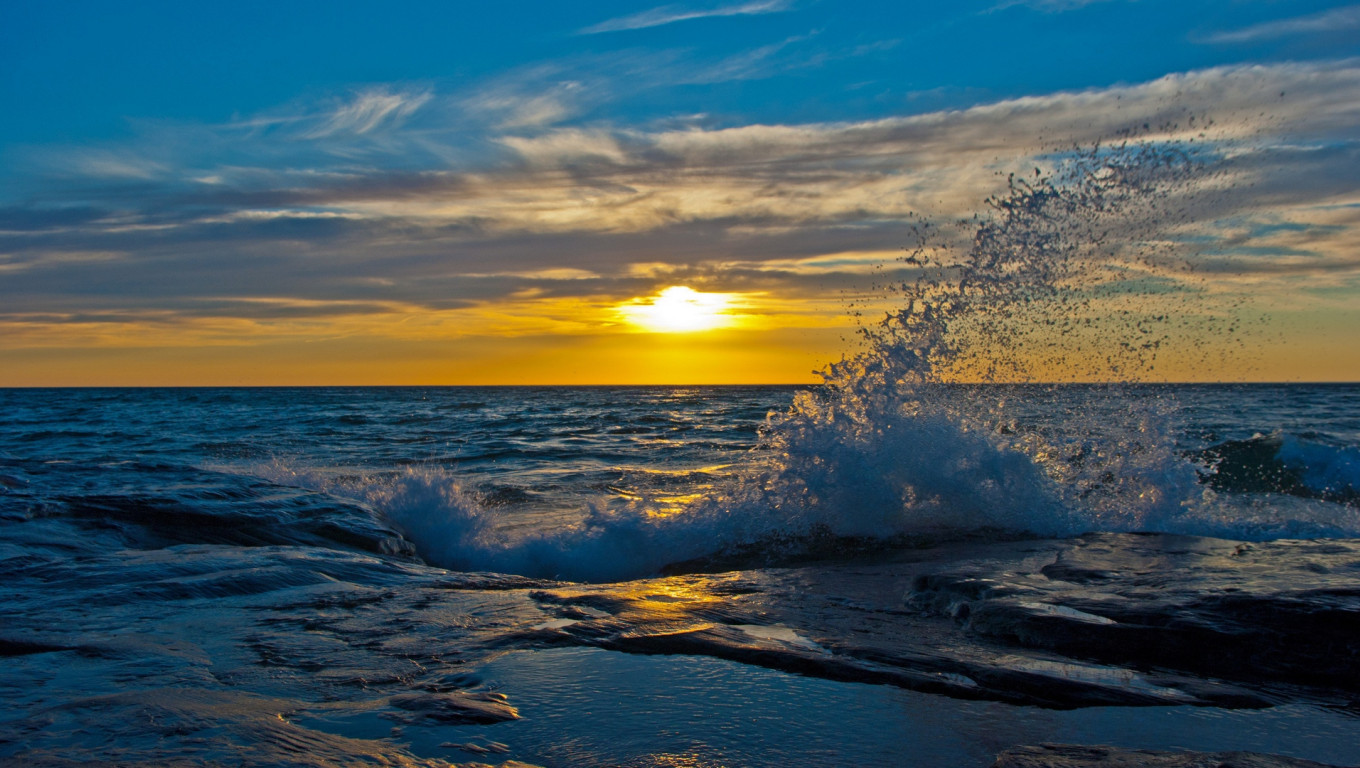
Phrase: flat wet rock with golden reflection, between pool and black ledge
[847,625]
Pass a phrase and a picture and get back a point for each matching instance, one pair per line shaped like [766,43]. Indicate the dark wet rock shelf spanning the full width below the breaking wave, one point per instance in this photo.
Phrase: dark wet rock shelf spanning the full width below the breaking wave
[294,645]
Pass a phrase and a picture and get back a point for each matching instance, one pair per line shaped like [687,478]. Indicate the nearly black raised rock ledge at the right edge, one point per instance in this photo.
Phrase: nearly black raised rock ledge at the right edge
[1286,611]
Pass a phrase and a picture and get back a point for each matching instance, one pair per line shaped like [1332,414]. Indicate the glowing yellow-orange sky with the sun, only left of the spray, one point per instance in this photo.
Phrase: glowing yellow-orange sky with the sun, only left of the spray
[742,339]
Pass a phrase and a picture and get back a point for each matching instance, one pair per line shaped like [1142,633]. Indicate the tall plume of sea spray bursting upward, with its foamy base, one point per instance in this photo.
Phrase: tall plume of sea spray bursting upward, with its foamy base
[1051,283]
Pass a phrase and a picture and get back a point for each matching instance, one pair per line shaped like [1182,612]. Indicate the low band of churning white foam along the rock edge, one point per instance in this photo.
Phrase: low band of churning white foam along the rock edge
[916,481]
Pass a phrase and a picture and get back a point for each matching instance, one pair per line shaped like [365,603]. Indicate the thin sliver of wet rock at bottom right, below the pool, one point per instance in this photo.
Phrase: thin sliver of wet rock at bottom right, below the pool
[1075,756]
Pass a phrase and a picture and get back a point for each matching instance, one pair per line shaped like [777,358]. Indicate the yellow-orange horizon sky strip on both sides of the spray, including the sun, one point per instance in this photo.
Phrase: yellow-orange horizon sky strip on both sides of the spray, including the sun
[750,341]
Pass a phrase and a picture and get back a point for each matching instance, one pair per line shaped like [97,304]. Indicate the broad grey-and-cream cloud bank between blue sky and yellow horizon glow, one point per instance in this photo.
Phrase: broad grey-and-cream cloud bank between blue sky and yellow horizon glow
[338,230]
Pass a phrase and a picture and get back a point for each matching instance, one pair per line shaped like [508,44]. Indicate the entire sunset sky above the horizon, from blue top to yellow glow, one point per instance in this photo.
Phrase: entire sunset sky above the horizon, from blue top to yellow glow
[503,194]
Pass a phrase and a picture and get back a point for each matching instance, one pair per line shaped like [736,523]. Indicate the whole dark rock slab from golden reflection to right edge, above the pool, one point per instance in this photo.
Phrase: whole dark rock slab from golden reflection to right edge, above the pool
[1097,621]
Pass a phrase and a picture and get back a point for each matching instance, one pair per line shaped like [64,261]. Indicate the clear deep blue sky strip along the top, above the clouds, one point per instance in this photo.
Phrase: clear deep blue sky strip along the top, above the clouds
[84,71]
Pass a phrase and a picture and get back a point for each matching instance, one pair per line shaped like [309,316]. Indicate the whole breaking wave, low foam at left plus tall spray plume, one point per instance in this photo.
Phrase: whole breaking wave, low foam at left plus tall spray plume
[1078,274]
